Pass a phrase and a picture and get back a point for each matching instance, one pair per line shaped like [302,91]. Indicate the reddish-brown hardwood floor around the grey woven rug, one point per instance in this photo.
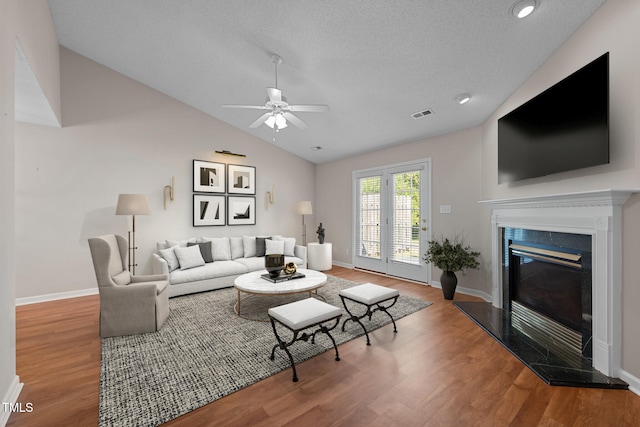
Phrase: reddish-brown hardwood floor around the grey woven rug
[440,369]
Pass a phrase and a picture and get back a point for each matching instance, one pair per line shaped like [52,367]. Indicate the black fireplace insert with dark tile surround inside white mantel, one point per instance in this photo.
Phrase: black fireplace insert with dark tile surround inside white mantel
[547,287]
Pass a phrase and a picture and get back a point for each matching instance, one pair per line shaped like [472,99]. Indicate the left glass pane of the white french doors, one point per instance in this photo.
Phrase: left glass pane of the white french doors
[369,221]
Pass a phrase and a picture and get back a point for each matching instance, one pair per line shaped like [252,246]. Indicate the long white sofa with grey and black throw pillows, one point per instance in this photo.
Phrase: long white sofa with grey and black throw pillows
[205,263]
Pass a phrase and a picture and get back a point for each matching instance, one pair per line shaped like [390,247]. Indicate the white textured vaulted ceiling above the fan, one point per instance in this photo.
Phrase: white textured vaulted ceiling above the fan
[374,62]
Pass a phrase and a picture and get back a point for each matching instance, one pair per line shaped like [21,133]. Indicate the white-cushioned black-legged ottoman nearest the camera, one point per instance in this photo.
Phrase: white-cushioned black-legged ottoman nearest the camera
[300,315]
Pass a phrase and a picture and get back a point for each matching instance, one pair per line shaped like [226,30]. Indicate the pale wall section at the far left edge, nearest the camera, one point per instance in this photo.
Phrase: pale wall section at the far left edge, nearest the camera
[30,22]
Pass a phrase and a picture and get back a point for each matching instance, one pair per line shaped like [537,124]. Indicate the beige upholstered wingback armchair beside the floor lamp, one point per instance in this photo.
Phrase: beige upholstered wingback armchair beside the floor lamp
[128,304]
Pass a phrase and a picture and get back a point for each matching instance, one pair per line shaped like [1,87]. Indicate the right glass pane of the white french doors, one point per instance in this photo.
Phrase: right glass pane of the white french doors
[405,236]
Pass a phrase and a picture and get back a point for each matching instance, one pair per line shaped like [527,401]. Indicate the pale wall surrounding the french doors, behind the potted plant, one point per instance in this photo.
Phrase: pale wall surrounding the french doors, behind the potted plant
[455,170]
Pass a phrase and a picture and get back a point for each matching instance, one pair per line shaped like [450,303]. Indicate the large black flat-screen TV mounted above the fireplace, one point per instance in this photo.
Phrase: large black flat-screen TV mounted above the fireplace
[566,127]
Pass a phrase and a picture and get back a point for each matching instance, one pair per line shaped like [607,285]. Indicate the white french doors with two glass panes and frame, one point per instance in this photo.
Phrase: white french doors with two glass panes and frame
[391,219]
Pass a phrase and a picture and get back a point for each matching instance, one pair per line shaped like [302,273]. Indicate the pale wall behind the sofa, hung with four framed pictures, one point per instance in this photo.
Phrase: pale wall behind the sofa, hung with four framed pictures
[119,136]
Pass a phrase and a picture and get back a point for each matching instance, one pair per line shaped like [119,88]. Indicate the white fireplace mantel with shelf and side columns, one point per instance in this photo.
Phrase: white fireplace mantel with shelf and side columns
[595,213]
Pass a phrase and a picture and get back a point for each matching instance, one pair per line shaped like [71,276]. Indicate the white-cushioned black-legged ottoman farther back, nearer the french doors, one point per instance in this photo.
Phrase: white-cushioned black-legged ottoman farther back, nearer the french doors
[369,295]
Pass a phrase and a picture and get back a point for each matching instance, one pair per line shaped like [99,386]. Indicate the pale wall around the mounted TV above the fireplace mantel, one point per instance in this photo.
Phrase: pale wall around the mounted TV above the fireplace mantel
[614,28]
